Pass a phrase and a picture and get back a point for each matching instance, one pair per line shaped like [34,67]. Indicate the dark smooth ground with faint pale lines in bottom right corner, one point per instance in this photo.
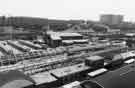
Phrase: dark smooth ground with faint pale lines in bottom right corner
[123,77]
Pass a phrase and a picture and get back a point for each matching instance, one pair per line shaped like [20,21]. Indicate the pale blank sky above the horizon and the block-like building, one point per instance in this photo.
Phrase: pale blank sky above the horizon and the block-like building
[68,9]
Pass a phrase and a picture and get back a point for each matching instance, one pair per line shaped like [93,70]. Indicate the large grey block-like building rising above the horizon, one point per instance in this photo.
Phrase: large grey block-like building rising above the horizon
[111,19]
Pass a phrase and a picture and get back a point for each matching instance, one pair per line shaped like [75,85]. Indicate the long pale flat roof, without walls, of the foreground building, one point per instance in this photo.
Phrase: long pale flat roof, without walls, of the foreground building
[61,72]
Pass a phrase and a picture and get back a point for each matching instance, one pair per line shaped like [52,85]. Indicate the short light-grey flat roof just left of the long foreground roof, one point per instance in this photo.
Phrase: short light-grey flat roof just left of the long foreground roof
[44,77]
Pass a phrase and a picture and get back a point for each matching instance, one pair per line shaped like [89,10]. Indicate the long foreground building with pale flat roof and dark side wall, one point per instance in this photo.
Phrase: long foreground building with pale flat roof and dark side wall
[70,73]
